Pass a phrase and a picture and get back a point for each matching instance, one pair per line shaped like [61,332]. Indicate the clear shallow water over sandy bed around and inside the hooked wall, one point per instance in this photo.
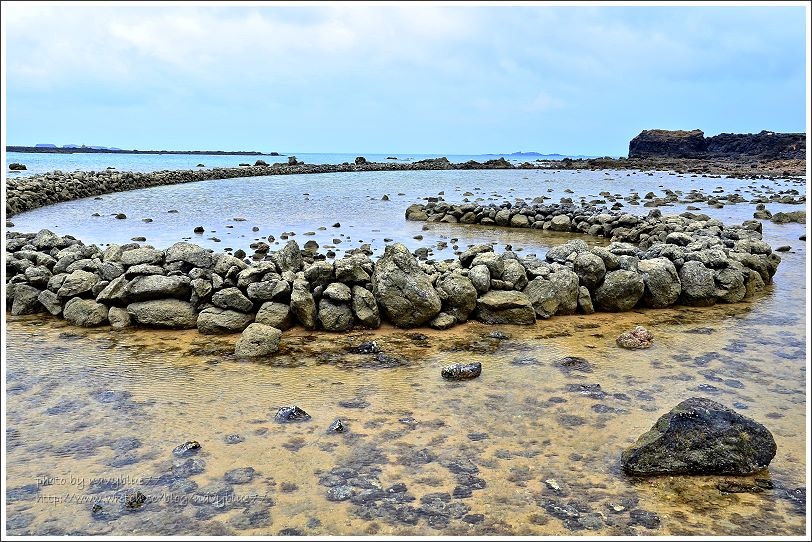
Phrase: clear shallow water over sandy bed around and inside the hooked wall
[93,415]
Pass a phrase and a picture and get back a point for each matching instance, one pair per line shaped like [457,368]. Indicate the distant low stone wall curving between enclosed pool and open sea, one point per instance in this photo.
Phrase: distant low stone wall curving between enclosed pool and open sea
[27,193]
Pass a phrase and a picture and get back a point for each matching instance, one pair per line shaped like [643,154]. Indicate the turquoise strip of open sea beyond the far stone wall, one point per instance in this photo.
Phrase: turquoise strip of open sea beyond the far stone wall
[44,162]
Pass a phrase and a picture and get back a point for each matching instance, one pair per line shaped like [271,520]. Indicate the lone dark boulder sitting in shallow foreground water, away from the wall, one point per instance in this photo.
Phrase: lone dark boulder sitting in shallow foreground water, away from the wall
[700,436]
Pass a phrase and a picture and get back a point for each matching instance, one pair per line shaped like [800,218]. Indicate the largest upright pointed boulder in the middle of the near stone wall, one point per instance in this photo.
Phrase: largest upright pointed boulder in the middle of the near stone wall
[403,291]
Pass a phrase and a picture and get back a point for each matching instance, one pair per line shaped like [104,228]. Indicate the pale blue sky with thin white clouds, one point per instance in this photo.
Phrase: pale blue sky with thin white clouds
[398,78]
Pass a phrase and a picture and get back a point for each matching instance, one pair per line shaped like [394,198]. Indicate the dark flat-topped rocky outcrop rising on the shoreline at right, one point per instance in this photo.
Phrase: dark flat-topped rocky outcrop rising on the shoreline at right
[764,145]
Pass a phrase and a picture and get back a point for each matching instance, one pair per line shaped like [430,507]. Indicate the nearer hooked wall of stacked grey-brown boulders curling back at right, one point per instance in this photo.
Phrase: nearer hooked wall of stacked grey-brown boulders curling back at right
[656,261]
